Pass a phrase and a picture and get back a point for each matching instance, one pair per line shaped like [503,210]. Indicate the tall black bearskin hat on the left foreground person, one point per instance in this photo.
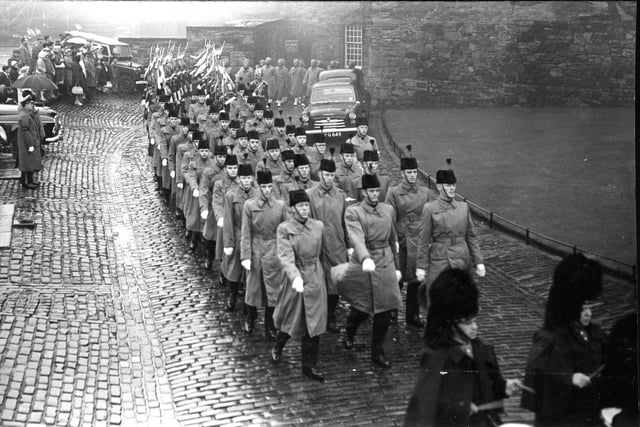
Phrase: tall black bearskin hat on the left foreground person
[453,297]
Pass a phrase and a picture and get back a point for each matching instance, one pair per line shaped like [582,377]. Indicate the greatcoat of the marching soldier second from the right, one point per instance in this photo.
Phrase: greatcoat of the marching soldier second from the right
[408,200]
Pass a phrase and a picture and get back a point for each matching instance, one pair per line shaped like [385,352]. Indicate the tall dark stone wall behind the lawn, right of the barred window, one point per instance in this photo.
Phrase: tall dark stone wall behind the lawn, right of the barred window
[499,53]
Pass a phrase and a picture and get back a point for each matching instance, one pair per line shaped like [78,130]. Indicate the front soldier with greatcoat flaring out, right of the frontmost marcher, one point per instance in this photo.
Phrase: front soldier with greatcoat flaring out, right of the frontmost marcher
[369,283]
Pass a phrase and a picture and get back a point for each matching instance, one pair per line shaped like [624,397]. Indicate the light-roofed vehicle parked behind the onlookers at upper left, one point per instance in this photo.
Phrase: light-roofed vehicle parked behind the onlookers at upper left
[131,74]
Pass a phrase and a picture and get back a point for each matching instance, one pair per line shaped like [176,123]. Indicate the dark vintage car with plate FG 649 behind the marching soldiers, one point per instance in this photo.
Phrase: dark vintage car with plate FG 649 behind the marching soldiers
[336,100]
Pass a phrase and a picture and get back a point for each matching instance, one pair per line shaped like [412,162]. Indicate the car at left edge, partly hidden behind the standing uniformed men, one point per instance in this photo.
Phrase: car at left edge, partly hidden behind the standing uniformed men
[9,124]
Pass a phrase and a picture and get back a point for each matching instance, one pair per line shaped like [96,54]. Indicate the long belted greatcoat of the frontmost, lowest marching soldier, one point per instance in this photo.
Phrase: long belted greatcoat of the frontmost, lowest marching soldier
[299,249]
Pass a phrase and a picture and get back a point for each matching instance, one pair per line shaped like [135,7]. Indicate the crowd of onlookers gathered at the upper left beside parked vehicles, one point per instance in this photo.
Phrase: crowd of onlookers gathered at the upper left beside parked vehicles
[78,71]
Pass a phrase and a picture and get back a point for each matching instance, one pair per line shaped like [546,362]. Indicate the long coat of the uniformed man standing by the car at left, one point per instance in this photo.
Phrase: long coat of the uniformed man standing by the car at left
[30,134]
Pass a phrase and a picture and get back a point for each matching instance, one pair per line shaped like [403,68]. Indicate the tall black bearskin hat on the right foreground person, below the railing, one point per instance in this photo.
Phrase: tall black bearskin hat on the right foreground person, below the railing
[576,279]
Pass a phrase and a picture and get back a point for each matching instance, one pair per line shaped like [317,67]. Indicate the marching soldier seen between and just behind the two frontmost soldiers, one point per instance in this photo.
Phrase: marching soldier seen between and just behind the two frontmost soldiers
[328,206]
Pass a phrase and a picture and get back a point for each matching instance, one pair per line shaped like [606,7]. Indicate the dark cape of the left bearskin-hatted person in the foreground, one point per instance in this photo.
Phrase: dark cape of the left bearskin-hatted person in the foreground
[449,381]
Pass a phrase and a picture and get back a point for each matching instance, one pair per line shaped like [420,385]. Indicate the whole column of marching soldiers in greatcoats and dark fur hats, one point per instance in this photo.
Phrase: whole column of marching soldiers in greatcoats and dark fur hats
[295,226]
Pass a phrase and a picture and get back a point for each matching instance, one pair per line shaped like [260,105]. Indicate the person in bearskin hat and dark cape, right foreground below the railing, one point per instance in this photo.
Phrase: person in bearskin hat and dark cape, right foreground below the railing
[568,352]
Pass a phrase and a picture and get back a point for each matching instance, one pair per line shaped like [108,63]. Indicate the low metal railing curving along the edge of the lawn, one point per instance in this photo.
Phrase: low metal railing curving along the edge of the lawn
[613,266]
